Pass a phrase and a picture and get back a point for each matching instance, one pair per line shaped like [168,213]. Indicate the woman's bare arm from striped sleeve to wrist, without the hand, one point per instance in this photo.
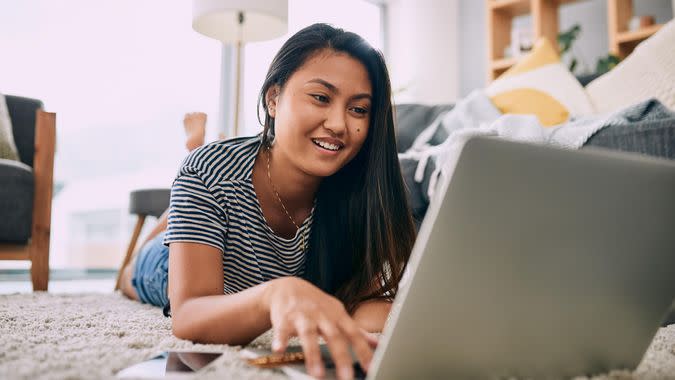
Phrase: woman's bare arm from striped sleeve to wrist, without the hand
[200,311]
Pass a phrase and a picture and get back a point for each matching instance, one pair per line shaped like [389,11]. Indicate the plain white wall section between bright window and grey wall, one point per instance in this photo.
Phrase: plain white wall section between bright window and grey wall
[422,50]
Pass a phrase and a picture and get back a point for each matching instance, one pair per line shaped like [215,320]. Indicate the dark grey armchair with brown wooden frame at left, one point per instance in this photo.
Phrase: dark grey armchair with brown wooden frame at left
[26,188]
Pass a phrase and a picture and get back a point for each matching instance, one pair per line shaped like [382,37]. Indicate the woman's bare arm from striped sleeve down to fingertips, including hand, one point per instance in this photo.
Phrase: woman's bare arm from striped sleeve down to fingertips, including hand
[201,313]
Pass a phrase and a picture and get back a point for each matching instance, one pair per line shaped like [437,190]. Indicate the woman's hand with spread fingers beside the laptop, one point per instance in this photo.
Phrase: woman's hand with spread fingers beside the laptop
[296,307]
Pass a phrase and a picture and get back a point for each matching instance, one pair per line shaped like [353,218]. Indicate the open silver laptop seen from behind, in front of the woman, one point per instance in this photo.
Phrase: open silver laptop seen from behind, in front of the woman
[536,262]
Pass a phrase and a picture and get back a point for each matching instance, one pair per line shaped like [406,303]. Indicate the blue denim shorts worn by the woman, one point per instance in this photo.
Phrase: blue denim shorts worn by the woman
[151,272]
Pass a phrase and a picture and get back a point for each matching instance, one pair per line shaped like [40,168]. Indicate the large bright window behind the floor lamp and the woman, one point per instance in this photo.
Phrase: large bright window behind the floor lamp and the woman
[120,76]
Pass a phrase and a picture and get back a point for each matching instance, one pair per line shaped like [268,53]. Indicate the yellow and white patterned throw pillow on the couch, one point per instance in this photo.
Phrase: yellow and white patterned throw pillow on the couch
[539,84]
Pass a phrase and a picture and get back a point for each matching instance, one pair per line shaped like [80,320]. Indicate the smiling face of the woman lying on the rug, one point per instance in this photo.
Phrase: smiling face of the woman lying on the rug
[323,113]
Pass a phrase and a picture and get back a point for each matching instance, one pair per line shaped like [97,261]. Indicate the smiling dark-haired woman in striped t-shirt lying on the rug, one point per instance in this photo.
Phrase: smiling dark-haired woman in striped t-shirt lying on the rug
[305,228]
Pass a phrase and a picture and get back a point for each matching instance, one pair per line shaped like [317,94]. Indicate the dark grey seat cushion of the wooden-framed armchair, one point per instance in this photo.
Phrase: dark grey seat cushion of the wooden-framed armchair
[16,201]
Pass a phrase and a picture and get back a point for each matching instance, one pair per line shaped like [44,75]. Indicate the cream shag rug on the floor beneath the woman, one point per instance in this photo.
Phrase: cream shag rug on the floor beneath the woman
[93,336]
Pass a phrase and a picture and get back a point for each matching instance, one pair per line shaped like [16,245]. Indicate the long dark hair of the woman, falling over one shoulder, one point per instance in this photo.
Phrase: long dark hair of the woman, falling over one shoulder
[363,230]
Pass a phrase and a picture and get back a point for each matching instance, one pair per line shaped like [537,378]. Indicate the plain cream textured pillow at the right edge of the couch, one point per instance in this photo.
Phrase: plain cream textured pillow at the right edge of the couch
[649,72]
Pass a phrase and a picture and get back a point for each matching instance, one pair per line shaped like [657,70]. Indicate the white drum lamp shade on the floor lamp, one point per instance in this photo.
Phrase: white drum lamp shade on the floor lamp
[219,19]
